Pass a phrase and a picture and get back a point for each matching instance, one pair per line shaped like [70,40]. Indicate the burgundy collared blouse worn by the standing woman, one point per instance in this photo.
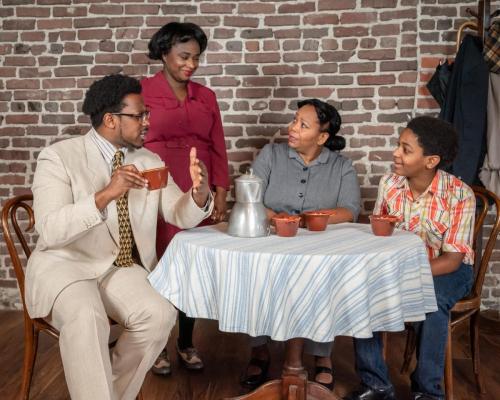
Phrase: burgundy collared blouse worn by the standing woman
[175,126]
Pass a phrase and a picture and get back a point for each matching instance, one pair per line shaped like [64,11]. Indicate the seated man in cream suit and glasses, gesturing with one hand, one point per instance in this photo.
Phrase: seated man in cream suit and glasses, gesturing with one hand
[82,269]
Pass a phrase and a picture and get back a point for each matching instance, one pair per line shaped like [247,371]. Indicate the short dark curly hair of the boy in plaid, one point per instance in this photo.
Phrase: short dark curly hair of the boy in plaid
[436,137]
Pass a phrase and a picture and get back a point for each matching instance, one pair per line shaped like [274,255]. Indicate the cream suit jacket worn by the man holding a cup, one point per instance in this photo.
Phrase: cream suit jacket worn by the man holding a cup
[75,241]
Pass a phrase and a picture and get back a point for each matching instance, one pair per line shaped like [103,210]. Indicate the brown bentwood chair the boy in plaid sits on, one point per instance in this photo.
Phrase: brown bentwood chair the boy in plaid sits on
[468,308]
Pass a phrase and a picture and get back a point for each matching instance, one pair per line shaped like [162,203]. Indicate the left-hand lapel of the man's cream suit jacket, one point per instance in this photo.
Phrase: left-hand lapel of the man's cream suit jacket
[100,171]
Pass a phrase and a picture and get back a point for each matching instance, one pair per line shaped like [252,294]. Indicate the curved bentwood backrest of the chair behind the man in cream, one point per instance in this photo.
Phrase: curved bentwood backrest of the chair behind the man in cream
[12,230]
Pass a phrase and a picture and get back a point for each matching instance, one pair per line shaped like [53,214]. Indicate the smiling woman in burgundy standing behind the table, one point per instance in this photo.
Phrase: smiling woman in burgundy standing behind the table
[184,114]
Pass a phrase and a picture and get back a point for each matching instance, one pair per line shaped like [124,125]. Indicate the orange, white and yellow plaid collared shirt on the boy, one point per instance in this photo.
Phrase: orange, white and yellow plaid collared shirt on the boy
[443,215]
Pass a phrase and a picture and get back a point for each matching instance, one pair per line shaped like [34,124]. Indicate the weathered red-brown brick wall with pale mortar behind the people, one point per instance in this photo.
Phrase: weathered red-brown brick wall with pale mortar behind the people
[370,58]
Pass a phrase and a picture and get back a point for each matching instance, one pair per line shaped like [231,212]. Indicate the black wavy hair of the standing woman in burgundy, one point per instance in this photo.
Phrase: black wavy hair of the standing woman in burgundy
[171,34]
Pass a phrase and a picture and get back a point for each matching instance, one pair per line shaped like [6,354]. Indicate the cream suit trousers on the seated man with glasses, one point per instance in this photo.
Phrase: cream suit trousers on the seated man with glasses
[80,313]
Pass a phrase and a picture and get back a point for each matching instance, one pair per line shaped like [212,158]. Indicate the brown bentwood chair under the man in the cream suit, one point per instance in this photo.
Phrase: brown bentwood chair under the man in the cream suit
[12,227]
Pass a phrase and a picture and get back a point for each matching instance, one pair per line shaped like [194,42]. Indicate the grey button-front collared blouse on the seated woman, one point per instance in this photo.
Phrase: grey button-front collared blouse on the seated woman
[293,187]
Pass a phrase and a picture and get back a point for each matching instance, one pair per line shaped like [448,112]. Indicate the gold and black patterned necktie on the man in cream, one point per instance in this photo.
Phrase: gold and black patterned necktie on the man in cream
[124,258]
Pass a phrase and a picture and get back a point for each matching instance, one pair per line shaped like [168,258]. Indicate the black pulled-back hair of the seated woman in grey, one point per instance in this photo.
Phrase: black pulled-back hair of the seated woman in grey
[330,121]
